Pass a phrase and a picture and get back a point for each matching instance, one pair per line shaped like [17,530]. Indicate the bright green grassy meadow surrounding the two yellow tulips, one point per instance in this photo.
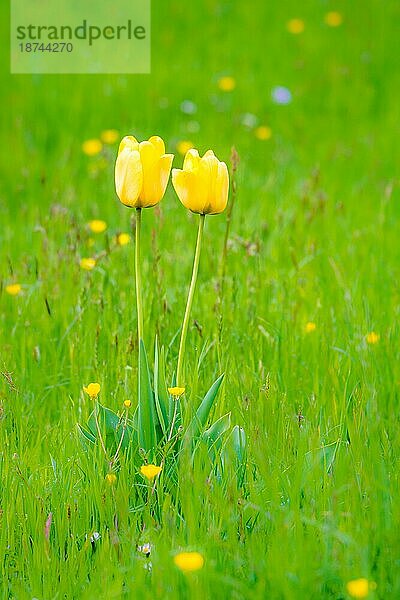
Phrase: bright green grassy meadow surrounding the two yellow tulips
[306,330]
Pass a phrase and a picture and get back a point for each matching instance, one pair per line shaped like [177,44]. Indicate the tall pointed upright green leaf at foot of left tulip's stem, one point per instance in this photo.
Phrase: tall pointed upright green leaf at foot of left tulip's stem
[146,405]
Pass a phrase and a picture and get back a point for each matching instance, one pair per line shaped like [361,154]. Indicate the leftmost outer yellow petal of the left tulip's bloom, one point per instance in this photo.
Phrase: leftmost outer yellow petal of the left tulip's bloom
[128,177]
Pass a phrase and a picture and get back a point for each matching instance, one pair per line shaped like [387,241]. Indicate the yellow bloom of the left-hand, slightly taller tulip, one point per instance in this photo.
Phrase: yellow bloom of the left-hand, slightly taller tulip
[142,171]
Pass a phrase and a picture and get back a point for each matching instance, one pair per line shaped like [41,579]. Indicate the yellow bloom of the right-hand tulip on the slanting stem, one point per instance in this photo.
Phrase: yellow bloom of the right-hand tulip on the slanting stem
[203,184]
